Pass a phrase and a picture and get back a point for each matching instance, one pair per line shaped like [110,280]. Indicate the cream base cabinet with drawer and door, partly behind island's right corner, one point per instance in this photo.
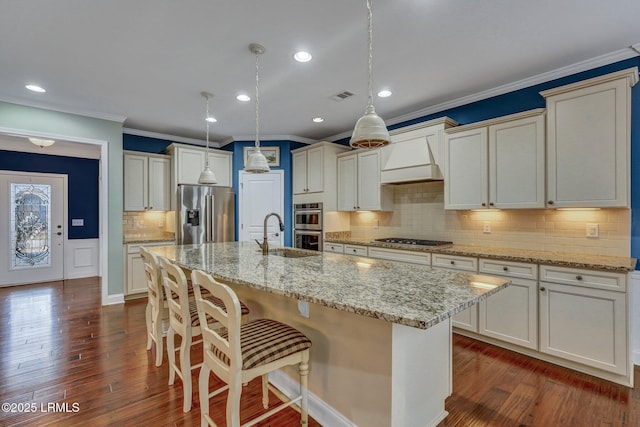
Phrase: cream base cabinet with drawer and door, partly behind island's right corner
[511,315]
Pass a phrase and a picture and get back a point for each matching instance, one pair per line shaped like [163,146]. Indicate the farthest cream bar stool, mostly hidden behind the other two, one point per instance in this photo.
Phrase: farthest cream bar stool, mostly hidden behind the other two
[156,312]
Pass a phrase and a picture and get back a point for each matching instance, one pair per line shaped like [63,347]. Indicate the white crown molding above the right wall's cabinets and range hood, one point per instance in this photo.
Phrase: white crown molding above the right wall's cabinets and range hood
[589,64]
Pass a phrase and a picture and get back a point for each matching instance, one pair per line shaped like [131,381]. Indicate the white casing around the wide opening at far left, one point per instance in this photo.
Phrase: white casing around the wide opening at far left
[103,208]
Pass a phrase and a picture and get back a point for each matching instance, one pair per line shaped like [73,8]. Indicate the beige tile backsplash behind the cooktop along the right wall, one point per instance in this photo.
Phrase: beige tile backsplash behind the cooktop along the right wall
[419,213]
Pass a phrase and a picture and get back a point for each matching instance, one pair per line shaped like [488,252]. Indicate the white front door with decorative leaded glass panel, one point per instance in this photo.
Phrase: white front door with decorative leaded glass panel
[32,228]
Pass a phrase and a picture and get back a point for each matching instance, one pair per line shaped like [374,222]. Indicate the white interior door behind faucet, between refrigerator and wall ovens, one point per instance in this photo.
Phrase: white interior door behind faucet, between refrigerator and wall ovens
[261,194]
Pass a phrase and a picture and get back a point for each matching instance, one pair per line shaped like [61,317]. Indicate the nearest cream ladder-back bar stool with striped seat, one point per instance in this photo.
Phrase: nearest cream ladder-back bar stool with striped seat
[239,352]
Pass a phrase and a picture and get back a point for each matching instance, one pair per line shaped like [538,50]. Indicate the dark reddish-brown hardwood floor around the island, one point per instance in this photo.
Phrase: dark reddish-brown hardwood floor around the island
[58,346]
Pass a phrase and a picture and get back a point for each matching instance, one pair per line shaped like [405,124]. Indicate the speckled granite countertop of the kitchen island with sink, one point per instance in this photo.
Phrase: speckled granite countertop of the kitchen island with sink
[418,296]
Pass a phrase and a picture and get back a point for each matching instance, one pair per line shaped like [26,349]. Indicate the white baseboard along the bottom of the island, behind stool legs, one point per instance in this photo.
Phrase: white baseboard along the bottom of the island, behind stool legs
[319,410]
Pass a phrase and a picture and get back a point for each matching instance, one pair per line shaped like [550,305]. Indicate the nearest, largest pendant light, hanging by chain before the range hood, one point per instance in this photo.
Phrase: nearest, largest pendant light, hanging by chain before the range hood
[370,130]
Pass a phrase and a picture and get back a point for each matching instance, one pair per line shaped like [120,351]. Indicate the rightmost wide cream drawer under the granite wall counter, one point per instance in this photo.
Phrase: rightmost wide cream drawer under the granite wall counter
[587,278]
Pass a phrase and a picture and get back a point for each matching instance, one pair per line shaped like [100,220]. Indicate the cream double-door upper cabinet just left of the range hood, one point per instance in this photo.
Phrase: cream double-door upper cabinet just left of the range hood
[359,186]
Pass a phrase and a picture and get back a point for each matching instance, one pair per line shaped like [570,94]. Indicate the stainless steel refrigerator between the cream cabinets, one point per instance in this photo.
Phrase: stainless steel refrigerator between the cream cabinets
[207,214]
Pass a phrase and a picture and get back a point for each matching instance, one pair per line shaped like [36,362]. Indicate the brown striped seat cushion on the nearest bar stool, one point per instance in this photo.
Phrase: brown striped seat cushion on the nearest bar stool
[265,340]
